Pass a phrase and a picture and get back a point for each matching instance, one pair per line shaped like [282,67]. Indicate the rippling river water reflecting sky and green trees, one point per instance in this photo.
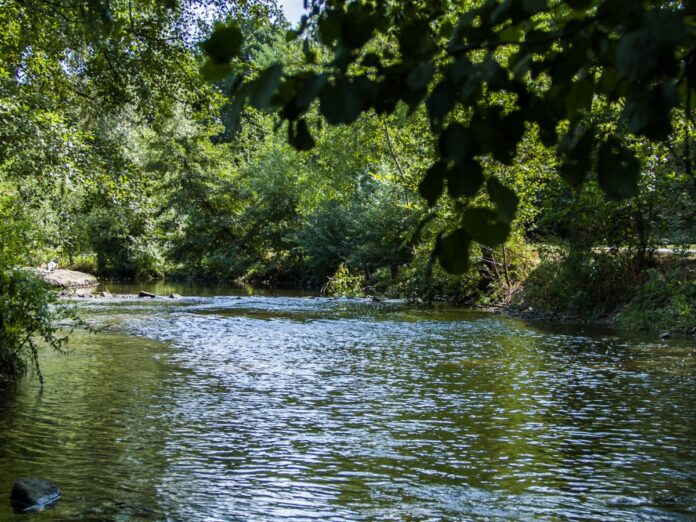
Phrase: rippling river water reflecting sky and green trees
[253,407]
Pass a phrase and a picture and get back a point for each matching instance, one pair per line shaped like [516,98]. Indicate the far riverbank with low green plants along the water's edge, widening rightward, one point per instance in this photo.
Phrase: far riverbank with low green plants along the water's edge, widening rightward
[598,286]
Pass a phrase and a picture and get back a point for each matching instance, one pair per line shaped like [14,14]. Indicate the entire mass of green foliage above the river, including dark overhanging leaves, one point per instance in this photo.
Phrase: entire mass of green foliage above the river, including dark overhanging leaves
[499,138]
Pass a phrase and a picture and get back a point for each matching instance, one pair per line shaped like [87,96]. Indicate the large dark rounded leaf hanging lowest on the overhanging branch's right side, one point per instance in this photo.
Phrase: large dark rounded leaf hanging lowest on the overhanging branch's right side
[618,170]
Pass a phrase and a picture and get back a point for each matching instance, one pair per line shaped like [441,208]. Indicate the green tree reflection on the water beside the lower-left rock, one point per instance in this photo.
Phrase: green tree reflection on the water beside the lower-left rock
[96,428]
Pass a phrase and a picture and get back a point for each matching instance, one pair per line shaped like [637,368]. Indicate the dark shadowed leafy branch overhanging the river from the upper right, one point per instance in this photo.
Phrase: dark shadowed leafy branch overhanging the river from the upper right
[489,73]
